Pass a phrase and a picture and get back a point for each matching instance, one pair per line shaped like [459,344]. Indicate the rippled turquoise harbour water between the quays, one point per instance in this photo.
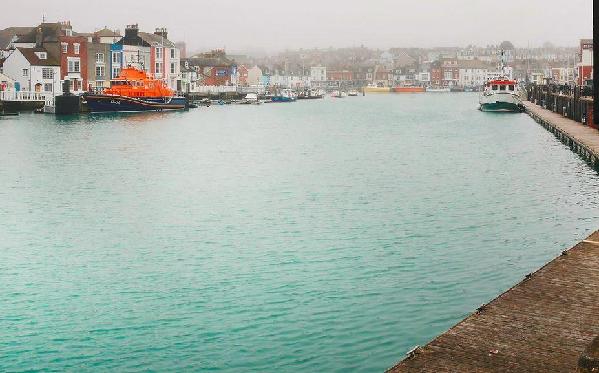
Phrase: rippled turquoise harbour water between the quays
[321,236]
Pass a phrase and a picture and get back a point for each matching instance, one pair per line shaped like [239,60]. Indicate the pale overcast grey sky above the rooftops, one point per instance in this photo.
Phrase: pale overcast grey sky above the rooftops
[274,25]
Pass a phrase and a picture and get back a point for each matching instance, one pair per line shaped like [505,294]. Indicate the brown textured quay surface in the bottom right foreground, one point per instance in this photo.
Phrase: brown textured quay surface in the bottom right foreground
[543,324]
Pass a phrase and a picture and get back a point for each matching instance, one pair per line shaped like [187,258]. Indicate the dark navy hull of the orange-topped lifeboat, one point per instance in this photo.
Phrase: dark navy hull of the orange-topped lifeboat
[111,103]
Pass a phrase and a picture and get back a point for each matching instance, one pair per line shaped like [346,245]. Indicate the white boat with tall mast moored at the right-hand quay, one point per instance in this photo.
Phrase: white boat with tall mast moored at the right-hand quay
[501,94]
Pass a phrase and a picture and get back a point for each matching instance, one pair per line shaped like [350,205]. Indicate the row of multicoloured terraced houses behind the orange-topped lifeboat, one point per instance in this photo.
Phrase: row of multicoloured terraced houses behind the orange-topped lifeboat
[41,58]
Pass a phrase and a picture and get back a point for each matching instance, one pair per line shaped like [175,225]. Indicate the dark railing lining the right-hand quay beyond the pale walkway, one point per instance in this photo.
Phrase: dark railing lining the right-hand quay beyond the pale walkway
[572,102]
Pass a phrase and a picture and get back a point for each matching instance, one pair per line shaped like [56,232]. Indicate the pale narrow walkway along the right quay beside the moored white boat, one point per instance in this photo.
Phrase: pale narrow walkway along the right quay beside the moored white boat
[582,139]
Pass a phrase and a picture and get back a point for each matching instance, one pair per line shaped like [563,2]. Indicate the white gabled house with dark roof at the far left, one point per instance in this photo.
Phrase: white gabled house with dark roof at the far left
[32,69]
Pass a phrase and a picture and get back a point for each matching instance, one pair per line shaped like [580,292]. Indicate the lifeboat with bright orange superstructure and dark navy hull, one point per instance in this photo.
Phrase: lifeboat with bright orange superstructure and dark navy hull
[134,91]
